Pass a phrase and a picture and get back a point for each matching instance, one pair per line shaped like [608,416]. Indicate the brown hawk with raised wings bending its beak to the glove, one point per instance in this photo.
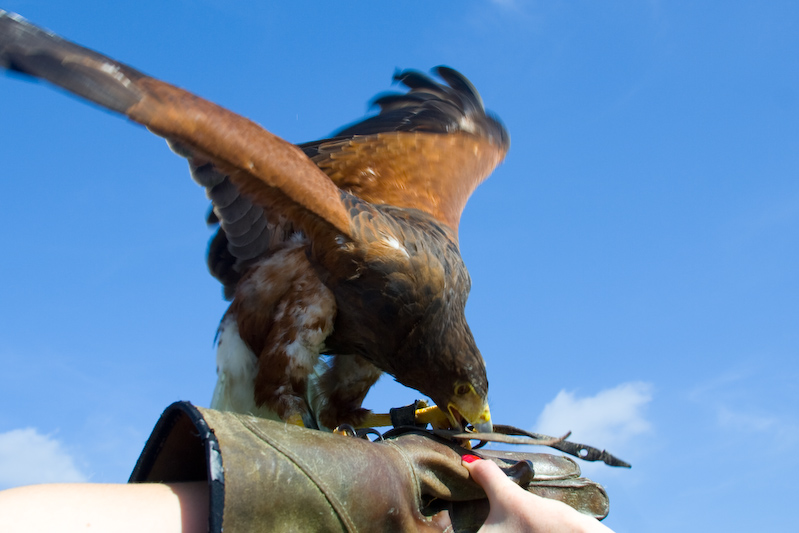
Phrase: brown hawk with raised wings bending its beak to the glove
[346,247]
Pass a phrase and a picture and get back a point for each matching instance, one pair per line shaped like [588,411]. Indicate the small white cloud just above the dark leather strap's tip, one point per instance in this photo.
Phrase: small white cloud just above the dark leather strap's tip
[607,420]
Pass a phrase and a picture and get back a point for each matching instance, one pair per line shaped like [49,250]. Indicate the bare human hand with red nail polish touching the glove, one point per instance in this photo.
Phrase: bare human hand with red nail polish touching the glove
[515,509]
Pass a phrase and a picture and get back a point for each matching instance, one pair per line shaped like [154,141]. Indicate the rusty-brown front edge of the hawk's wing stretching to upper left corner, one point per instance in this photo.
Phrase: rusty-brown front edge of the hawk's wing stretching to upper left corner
[271,171]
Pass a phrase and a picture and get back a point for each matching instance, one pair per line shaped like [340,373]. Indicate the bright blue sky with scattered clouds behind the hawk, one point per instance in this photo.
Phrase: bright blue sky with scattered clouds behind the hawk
[634,260]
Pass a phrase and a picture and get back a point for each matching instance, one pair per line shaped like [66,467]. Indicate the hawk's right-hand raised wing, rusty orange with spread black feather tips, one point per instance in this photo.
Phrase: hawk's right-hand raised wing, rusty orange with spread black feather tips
[427,149]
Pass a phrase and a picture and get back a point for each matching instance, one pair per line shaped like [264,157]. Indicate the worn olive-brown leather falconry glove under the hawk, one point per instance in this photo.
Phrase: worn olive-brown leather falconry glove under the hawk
[271,476]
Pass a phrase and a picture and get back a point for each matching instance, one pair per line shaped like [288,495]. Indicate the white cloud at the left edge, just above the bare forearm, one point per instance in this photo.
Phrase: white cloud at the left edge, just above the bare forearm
[27,457]
